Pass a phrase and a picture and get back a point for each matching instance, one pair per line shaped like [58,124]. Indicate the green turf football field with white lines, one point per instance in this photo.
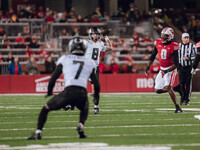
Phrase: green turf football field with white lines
[124,119]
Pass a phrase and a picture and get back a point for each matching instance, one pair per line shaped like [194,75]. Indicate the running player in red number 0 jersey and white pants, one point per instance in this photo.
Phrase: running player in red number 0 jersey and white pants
[167,51]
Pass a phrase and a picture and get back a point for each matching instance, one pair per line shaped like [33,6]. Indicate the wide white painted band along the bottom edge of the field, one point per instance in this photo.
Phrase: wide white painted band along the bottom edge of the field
[84,146]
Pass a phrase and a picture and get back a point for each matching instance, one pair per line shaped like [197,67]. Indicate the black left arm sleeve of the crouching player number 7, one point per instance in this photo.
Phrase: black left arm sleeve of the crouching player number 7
[53,79]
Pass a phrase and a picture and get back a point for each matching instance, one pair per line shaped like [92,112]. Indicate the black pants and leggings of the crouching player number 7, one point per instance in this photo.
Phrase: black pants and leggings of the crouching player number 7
[72,95]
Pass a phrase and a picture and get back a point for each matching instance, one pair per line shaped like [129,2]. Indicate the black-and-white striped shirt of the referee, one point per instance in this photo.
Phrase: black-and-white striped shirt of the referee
[189,50]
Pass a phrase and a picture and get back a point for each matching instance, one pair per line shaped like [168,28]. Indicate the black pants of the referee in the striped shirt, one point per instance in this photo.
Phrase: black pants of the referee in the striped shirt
[185,81]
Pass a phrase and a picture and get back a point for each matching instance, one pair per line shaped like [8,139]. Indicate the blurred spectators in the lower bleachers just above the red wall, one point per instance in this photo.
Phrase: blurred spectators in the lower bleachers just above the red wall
[125,52]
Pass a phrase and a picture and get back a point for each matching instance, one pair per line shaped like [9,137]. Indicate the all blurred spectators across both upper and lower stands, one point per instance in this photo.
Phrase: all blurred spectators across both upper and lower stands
[120,60]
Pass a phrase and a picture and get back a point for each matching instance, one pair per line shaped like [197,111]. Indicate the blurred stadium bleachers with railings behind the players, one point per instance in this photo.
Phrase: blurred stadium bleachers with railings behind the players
[129,32]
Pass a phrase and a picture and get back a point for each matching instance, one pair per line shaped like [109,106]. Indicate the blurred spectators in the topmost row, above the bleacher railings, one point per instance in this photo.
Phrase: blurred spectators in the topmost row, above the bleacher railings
[98,16]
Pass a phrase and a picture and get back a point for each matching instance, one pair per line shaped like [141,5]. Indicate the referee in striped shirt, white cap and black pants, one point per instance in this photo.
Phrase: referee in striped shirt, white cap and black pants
[186,56]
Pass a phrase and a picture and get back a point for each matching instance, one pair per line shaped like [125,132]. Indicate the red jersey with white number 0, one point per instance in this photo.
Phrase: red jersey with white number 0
[165,52]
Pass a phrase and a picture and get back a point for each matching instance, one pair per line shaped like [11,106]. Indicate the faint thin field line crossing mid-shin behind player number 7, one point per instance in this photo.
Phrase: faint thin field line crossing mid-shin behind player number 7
[33,122]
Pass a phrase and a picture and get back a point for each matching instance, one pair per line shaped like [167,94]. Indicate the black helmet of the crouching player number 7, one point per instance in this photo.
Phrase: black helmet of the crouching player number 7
[77,46]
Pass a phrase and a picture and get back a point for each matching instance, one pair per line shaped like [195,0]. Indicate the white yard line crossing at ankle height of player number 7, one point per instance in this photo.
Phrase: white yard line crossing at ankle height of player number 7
[106,127]
